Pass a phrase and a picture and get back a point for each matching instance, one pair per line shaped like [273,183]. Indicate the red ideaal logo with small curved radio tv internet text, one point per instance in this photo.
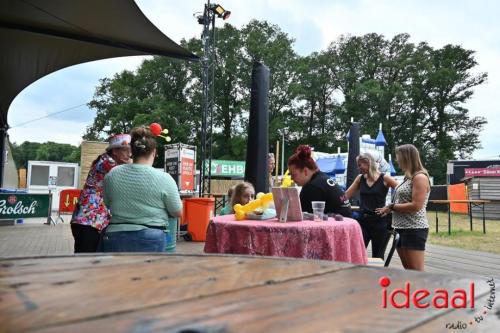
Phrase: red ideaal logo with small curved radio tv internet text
[439,299]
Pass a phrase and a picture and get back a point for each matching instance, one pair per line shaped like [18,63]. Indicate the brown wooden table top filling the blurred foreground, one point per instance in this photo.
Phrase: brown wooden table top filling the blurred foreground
[216,293]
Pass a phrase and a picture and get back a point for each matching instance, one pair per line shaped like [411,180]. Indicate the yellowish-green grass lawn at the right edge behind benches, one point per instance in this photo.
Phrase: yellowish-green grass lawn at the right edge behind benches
[461,236]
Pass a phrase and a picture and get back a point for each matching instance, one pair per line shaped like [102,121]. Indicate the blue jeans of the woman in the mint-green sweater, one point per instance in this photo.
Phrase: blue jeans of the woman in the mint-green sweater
[146,240]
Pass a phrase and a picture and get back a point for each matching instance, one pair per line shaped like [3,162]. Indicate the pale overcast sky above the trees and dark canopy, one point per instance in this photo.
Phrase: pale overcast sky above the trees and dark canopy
[313,24]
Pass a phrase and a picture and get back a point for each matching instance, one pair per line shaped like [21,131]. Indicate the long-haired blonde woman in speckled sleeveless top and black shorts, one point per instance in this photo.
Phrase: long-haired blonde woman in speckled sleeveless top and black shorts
[409,216]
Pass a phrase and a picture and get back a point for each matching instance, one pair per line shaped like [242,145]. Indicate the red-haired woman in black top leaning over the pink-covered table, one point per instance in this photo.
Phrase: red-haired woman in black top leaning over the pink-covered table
[316,186]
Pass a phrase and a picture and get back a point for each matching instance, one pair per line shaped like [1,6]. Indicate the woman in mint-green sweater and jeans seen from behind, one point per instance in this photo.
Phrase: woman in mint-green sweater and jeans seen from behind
[141,199]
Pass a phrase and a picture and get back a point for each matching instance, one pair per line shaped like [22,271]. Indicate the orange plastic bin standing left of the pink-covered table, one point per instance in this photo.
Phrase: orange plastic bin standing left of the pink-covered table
[197,214]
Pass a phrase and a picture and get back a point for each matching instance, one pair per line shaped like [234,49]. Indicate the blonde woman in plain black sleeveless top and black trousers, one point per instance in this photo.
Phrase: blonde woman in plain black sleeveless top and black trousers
[373,187]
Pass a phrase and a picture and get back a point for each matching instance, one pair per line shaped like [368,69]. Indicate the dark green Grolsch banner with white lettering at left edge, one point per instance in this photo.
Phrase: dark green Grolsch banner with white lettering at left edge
[18,205]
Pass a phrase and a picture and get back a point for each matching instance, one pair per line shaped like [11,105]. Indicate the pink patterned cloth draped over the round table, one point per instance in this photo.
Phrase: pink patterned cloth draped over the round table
[328,240]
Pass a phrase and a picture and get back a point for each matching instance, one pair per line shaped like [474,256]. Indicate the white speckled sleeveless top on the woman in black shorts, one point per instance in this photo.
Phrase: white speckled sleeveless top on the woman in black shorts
[400,220]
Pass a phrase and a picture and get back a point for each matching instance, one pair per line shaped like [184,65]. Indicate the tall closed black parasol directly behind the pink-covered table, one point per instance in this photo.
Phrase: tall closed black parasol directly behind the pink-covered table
[258,129]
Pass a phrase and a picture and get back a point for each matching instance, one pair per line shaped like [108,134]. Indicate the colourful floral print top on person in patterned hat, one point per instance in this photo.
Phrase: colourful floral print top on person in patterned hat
[91,209]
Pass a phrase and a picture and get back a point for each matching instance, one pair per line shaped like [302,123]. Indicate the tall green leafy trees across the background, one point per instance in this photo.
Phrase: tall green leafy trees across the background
[415,91]
